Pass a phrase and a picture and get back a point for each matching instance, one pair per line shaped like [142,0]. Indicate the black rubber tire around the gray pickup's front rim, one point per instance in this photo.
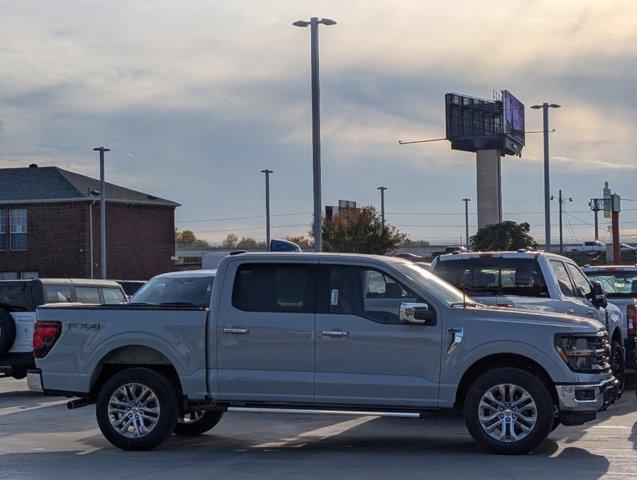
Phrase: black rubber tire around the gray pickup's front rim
[539,393]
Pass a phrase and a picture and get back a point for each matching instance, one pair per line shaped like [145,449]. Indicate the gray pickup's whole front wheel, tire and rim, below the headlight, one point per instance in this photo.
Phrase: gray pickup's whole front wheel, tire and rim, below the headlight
[508,411]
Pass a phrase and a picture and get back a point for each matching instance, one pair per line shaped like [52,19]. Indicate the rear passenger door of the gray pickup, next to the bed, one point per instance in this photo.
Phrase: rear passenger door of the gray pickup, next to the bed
[265,332]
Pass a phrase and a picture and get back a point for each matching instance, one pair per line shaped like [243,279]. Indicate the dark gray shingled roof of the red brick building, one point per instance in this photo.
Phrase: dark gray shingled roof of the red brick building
[52,184]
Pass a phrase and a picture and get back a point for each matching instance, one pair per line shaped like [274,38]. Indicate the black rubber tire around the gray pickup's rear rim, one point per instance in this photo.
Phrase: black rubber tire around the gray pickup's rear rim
[165,398]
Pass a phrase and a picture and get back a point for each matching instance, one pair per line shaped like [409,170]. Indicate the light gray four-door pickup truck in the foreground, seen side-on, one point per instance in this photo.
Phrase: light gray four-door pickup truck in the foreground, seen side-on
[321,333]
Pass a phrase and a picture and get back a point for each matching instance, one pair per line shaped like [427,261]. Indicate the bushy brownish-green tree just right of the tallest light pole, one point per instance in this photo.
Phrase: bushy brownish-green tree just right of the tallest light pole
[360,231]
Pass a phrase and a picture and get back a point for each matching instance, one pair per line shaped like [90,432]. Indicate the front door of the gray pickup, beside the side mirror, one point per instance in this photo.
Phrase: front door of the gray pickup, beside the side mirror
[364,354]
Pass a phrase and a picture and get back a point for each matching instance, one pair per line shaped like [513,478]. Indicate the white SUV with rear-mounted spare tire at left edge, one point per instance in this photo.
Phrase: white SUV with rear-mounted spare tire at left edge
[18,301]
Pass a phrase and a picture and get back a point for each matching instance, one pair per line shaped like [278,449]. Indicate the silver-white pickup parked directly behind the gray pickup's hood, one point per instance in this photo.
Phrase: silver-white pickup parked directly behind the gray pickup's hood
[536,281]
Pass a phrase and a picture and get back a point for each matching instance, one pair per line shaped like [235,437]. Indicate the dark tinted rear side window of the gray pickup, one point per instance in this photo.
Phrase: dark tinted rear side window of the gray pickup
[274,288]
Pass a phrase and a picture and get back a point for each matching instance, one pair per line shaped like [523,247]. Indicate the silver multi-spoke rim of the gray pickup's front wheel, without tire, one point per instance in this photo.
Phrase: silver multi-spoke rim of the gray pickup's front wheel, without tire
[507,413]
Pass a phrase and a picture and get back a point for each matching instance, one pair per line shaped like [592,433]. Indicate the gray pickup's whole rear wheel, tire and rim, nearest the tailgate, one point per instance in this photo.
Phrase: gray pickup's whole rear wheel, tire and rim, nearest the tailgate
[137,409]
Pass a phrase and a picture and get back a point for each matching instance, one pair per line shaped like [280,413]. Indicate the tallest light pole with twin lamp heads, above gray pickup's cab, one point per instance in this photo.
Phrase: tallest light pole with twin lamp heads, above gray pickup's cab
[316,125]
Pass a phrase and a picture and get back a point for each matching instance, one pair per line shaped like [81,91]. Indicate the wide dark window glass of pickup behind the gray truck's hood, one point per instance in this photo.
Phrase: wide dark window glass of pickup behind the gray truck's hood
[494,276]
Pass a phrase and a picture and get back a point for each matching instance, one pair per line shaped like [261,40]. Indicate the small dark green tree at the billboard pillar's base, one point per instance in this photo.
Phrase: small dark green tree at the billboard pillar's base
[503,236]
